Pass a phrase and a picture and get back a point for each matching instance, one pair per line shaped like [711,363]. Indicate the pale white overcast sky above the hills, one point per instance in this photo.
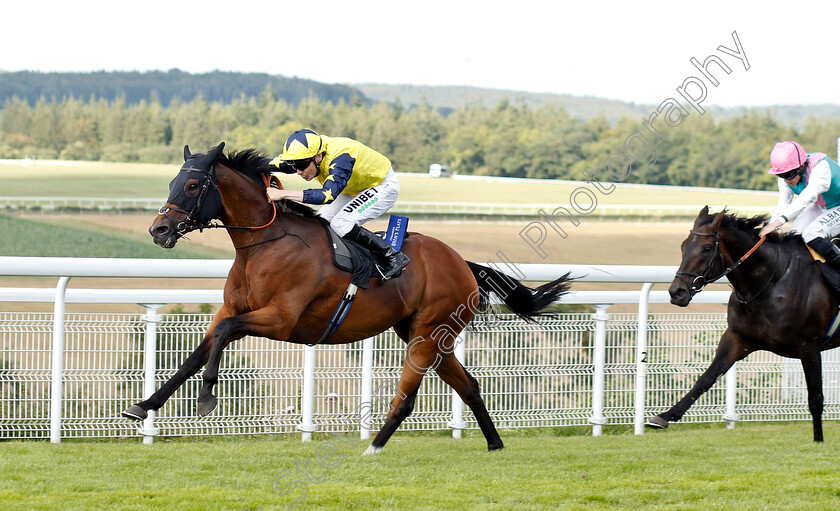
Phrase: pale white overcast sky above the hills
[630,51]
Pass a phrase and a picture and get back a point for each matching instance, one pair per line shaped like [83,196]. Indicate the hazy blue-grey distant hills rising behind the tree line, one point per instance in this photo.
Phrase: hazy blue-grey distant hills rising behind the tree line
[222,86]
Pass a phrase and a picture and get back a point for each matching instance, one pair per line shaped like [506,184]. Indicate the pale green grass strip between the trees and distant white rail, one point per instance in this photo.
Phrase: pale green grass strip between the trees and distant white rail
[133,180]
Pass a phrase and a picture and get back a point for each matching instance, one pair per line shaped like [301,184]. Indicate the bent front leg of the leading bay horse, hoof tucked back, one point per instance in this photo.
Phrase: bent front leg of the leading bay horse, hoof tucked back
[265,322]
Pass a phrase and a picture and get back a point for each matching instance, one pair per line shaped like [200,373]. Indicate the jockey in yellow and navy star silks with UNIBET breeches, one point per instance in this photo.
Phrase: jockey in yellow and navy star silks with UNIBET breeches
[358,185]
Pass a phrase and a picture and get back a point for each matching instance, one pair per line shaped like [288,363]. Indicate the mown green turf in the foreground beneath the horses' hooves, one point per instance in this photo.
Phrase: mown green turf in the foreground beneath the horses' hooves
[755,466]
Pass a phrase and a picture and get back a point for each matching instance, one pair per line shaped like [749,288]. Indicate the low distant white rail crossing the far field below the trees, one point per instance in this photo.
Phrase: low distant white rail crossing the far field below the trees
[461,209]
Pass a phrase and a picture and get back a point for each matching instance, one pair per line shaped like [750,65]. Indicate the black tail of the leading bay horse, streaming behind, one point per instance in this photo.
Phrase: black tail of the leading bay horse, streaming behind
[525,302]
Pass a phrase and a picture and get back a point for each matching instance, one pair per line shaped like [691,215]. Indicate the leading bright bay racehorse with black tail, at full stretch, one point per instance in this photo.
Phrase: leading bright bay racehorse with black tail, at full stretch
[283,285]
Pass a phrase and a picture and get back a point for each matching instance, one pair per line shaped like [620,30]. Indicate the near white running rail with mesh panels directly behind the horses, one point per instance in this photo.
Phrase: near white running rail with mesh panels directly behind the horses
[70,375]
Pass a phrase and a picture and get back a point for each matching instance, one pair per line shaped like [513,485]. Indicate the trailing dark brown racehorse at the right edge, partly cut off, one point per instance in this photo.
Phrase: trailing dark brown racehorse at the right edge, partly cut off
[780,302]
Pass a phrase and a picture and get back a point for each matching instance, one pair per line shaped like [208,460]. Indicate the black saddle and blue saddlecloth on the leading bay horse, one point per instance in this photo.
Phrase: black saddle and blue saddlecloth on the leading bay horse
[351,257]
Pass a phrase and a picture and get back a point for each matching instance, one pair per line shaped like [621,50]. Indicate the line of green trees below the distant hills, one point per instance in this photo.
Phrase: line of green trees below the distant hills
[509,139]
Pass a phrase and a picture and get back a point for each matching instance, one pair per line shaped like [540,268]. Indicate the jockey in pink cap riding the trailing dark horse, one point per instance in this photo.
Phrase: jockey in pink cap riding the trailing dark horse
[815,212]
